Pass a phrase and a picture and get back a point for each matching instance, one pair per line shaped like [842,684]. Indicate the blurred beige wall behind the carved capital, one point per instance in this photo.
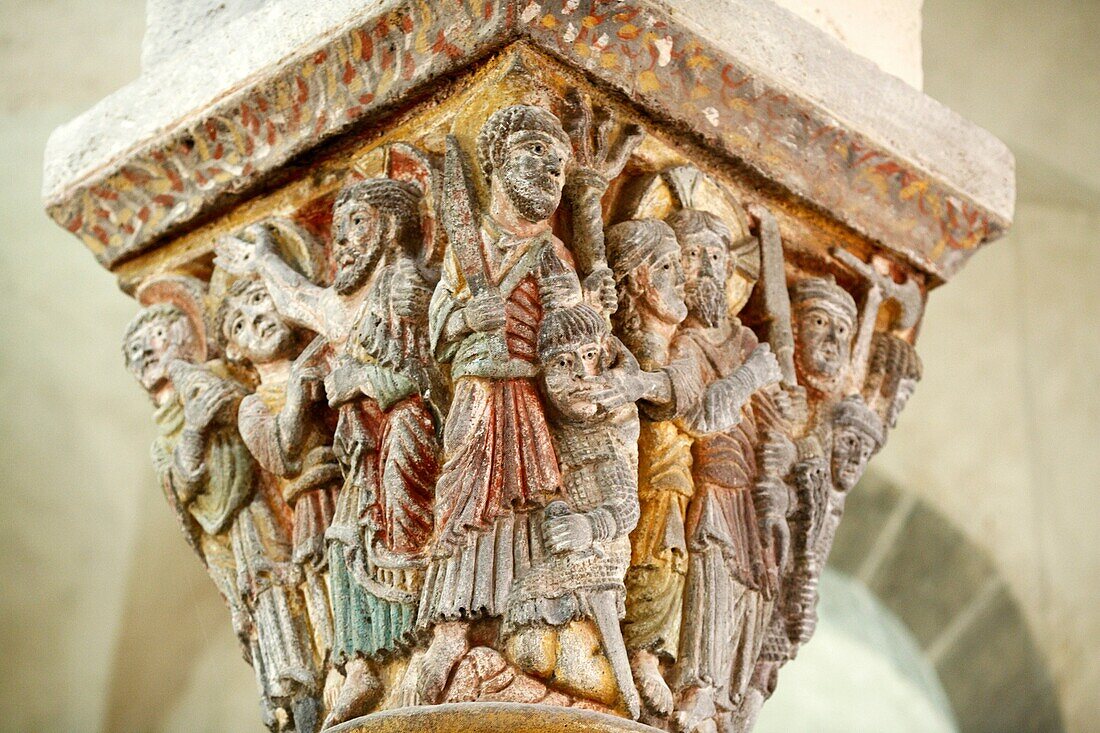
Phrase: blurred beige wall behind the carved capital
[109,625]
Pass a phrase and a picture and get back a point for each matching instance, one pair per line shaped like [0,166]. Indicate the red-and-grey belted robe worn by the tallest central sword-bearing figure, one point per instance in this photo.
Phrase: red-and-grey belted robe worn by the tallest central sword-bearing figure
[500,460]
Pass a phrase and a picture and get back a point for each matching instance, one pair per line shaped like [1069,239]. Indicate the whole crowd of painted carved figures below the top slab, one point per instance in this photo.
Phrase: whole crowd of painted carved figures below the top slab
[439,456]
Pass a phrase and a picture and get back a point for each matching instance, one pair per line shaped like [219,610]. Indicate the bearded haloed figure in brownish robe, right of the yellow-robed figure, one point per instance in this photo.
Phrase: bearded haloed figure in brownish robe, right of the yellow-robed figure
[734,554]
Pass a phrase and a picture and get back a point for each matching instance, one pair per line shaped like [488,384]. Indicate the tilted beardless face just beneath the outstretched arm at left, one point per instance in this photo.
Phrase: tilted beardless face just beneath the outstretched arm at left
[254,329]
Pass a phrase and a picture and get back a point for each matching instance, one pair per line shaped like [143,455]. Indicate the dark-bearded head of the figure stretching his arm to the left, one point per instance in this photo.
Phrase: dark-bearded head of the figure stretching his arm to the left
[370,217]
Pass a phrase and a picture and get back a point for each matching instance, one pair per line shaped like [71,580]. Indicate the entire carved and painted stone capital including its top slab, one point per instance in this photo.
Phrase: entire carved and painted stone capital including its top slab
[512,360]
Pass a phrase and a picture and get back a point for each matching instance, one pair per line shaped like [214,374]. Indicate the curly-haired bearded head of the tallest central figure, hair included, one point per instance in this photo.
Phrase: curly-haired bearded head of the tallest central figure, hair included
[524,152]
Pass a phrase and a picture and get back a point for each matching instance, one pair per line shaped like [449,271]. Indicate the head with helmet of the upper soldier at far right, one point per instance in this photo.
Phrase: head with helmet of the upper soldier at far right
[824,319]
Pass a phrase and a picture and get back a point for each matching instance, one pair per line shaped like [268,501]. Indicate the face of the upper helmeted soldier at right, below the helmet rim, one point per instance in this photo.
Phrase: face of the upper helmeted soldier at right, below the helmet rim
[823,345]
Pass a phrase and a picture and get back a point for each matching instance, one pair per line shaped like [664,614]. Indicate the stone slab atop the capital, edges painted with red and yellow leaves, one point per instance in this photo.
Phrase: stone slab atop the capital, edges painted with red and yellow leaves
[915,176]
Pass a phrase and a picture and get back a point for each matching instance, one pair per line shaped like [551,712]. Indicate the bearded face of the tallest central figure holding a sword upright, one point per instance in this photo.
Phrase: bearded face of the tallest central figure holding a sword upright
[533,173]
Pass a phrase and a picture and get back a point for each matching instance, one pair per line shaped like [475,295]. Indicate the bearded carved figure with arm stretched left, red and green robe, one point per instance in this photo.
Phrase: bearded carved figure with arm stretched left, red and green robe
[373,321]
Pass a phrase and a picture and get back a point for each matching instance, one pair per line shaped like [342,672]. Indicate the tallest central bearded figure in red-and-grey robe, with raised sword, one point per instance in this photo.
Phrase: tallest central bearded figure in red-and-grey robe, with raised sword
[503,270]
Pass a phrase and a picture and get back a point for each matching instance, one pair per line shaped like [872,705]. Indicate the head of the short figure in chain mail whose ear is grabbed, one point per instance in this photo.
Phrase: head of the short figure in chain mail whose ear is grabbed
[573,351]
